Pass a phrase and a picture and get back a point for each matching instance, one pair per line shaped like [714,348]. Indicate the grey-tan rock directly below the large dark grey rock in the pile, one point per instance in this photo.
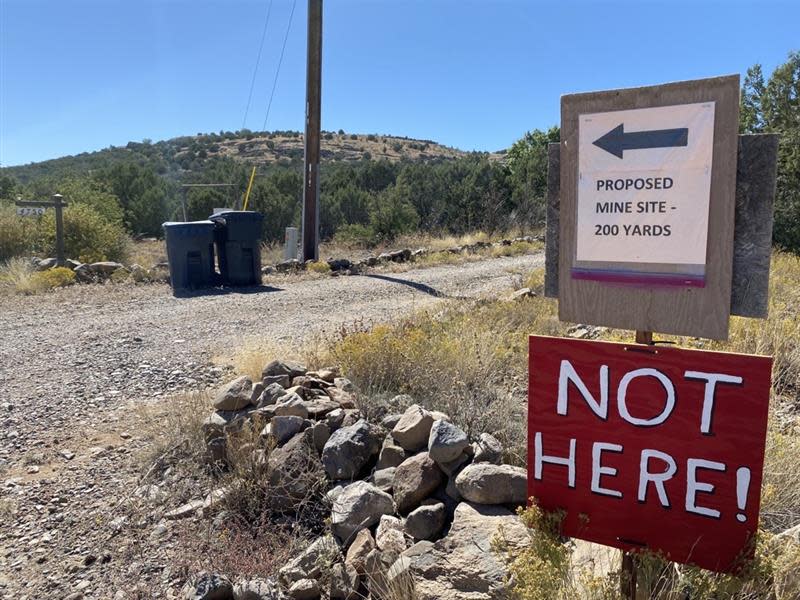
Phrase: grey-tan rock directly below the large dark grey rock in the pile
[359,505]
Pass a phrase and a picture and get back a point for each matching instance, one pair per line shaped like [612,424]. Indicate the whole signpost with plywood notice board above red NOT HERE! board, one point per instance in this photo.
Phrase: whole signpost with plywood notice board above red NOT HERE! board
[657,211]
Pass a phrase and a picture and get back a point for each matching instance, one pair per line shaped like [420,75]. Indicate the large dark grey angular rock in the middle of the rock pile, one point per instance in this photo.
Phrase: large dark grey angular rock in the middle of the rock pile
[349,449]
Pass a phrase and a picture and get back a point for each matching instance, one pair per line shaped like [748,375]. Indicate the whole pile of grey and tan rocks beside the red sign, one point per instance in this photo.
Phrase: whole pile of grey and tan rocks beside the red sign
[414,503]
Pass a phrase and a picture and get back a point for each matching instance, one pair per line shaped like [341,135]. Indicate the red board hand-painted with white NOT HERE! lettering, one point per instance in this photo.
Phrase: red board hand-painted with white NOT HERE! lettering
[649,447]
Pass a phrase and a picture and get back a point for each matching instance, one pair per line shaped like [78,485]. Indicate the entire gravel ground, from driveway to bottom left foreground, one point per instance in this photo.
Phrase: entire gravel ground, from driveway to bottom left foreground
[76,362]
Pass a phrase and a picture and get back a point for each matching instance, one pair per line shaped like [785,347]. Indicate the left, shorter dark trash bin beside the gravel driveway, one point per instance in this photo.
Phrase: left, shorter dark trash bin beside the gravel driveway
[190,251]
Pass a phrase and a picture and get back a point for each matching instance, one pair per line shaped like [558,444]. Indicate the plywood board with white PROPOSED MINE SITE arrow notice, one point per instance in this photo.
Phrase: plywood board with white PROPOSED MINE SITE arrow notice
[648,181]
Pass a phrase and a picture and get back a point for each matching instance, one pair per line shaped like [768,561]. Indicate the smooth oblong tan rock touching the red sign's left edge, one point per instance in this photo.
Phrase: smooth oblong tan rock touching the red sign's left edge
[486,483]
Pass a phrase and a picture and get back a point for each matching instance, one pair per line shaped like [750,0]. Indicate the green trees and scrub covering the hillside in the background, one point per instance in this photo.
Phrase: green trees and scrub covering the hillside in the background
[373,187]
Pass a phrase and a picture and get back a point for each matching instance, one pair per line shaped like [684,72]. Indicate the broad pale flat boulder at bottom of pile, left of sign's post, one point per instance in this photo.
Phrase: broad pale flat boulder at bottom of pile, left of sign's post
[462,566]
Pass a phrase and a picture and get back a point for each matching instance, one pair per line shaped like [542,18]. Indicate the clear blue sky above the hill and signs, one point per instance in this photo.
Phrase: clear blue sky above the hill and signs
[80,75]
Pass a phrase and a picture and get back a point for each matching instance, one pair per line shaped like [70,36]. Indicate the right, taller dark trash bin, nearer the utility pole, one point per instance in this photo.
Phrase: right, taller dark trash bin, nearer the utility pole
[238,240]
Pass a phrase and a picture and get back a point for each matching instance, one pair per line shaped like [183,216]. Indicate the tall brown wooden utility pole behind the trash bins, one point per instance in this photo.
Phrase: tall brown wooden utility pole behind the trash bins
[312,135]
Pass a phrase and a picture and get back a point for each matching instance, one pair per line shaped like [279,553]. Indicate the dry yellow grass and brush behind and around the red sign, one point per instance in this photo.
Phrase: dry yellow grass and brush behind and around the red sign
[475,357]
